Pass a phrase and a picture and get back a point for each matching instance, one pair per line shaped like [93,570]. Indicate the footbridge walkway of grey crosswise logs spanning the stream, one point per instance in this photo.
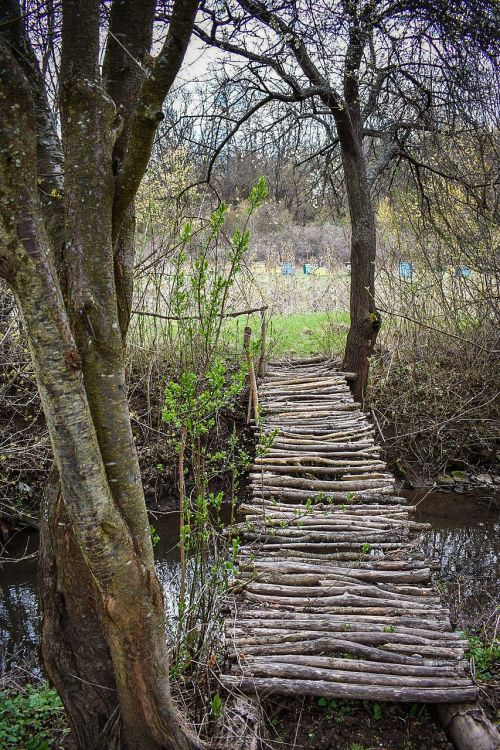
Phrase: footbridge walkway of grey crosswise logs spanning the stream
[332,596]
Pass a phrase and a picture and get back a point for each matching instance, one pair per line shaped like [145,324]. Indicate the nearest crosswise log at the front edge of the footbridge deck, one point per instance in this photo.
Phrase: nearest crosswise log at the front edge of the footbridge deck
[273,685]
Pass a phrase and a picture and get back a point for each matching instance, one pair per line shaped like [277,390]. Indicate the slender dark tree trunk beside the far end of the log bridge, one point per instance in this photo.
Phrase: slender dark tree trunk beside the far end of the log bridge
[365,319]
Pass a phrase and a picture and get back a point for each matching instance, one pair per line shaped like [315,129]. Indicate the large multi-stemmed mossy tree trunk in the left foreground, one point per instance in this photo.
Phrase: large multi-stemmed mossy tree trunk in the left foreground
[69,262]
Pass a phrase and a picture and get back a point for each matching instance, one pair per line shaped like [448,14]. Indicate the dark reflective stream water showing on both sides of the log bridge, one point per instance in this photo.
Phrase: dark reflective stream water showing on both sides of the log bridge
[464,539]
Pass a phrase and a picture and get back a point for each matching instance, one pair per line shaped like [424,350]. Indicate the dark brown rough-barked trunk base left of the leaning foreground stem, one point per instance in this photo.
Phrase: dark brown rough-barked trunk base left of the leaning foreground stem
[75,654]
